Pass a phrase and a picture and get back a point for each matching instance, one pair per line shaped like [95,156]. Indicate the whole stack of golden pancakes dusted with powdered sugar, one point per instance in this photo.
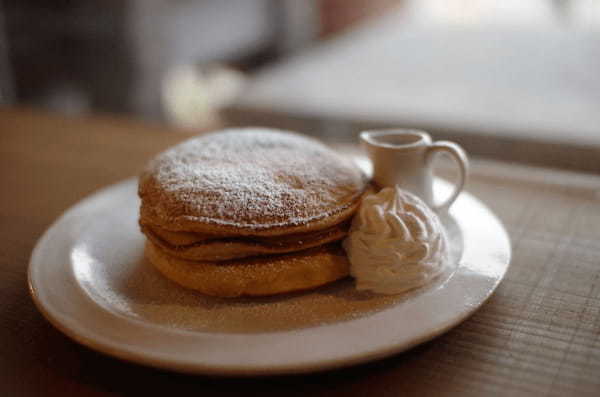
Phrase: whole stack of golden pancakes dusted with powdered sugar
[249,211]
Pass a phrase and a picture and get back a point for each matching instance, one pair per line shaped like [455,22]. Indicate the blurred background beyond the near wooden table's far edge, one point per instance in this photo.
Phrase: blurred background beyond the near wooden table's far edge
[499,76]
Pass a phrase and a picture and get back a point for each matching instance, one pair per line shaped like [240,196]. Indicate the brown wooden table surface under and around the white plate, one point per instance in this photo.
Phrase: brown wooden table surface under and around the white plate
[538,334]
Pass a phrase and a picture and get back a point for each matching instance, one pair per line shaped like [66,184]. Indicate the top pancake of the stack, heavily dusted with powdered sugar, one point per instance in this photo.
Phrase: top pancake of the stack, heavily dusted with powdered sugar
[249,181]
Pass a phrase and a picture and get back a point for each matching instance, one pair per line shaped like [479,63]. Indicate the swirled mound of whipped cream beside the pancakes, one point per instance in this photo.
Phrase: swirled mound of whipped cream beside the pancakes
[396,243]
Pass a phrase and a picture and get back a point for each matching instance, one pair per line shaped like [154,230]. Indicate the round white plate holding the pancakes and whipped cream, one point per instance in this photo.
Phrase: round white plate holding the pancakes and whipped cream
[88,277]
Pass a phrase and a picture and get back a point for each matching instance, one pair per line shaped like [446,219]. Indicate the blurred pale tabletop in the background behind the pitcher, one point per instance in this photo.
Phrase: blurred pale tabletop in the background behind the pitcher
[508,91]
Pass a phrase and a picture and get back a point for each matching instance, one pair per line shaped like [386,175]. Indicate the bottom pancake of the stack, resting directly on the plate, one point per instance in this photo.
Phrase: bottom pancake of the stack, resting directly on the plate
[263,275]
